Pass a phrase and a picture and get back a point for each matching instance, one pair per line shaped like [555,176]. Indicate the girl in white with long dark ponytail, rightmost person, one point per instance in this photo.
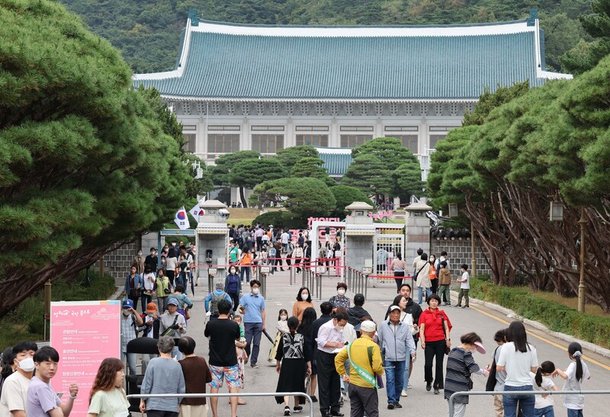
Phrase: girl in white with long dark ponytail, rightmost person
[574,375]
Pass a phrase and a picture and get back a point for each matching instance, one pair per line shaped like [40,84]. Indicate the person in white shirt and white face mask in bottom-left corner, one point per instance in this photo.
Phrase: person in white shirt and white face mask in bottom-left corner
[15,388]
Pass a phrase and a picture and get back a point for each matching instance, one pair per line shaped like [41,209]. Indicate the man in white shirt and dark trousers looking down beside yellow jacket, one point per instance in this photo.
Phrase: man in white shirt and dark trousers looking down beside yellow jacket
[330,341]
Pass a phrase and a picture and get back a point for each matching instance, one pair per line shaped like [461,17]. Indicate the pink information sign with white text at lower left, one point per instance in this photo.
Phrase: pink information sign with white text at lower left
[84,333]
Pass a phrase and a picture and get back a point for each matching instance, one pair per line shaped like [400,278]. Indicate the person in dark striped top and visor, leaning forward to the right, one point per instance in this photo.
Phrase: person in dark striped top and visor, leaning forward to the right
[460,366]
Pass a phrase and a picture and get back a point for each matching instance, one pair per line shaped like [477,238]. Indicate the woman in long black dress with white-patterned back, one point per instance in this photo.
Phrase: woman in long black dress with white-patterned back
[292,365]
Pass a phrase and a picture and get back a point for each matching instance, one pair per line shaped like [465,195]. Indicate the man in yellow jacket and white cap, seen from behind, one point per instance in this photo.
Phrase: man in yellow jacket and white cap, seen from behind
[364,356]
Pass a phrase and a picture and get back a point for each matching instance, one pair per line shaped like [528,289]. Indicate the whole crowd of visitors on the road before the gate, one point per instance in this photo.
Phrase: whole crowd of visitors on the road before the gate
[333,352]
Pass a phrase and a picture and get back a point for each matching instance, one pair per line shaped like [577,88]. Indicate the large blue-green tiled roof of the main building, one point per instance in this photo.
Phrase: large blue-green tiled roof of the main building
[275,66]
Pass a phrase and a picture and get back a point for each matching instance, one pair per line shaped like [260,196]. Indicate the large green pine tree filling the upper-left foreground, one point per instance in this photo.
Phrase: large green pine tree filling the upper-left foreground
[87,163]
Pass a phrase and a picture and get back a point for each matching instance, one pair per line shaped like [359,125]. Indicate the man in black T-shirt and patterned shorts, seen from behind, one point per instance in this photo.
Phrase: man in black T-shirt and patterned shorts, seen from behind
[223,334]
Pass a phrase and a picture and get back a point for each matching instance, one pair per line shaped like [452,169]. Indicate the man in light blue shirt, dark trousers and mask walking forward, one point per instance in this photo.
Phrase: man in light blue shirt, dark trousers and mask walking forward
[253,306]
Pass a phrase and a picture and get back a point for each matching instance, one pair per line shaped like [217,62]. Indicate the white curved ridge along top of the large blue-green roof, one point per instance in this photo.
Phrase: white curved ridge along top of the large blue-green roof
[478,29]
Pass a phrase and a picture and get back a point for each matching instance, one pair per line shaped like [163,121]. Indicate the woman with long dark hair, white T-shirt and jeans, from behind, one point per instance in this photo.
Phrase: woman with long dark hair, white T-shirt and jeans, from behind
[518,358]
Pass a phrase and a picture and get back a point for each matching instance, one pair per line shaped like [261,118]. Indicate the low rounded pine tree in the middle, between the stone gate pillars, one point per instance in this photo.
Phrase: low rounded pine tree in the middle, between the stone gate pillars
[303,197]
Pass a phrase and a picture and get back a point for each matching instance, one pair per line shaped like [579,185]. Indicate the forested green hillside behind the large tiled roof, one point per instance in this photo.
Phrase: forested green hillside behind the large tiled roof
[148,32]
